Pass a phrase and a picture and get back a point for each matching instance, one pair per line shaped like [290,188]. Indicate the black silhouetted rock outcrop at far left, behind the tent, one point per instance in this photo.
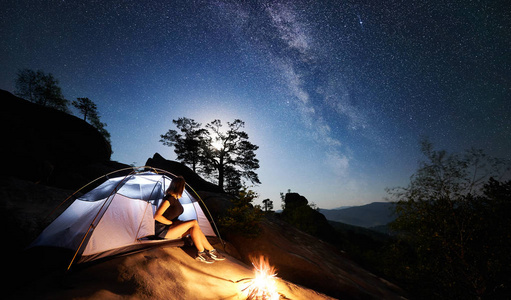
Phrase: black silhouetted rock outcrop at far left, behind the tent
[48,146]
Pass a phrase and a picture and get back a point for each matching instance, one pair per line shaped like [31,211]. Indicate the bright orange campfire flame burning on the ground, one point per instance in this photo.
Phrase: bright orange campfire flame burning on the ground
[263,286]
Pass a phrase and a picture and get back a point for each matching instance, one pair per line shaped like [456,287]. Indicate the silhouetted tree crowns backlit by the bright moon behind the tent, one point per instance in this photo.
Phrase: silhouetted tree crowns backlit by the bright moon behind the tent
[227,155]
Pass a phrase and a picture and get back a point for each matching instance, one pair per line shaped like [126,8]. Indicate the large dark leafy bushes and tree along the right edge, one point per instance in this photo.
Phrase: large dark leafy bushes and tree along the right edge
[453,225]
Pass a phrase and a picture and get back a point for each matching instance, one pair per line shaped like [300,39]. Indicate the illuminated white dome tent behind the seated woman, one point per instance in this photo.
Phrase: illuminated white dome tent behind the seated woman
[116,217]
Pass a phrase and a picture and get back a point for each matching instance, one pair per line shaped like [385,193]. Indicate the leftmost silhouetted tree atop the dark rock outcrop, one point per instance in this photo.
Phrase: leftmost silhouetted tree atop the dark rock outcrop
[40,88]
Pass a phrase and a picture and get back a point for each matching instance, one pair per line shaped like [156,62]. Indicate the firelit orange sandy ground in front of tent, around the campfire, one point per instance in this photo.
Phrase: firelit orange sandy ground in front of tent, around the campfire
[161,273]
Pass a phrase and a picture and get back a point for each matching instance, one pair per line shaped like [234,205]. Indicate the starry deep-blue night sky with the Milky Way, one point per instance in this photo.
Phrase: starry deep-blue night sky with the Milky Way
[337,94]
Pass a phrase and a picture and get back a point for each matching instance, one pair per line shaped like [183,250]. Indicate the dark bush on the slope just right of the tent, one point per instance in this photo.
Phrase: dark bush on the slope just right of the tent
[242,217]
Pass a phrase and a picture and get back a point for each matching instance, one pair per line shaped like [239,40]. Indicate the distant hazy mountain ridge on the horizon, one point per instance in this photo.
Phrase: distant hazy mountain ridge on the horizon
[370,215]
